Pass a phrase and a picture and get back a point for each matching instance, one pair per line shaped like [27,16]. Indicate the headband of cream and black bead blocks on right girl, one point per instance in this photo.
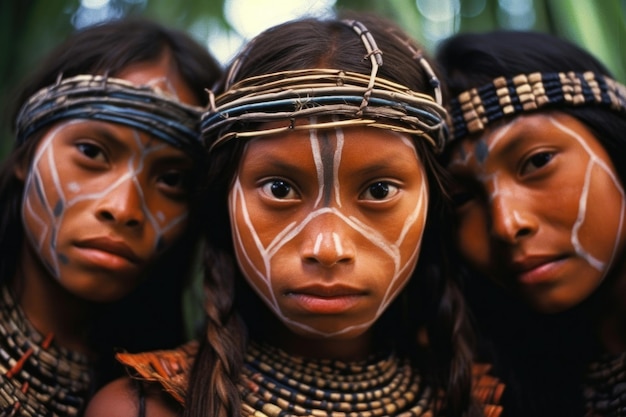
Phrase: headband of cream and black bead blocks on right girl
[472,110]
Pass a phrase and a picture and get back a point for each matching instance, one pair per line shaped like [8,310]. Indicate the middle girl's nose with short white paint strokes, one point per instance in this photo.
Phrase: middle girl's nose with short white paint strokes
[328,242]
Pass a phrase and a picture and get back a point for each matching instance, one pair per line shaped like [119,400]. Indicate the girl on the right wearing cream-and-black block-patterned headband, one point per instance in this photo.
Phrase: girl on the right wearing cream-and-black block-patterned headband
[538,154]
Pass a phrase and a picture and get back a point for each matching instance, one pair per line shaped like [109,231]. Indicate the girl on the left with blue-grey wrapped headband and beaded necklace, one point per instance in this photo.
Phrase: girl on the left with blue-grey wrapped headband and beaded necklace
[97,215]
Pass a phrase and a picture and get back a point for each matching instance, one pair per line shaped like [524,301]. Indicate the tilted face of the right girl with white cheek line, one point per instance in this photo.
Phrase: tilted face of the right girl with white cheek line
[540,208]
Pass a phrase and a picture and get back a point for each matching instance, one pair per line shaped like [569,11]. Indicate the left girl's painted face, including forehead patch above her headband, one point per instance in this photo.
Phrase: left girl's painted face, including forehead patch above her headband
[103,200]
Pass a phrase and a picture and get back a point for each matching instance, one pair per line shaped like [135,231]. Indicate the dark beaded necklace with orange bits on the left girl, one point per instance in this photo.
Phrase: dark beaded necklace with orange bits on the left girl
[37,377]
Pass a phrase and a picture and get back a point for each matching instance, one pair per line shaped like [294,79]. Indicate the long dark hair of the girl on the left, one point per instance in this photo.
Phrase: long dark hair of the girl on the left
[151,317]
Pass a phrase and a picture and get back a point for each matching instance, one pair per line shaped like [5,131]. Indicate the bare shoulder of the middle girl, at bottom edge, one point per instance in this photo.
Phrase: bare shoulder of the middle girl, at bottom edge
[122,398]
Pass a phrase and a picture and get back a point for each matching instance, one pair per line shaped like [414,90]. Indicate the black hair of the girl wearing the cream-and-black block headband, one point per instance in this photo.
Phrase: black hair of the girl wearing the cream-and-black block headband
[540,357]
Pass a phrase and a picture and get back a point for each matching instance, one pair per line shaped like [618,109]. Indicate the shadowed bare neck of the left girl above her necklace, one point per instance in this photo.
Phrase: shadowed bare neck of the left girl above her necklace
[49,307]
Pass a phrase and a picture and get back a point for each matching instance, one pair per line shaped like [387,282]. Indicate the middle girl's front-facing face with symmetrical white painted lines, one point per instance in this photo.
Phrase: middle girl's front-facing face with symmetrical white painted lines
[327,225]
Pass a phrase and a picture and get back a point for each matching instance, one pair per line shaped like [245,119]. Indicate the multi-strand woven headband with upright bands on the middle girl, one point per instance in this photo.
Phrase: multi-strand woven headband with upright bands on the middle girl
[359,100]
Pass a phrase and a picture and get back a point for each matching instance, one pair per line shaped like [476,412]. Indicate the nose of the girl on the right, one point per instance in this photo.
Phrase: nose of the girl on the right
[511,220]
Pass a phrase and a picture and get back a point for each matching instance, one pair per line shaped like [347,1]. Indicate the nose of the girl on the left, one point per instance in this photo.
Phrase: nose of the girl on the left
[123,205]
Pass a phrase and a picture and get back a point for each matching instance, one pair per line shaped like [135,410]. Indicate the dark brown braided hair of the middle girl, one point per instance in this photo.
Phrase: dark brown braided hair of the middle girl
[431,300]
